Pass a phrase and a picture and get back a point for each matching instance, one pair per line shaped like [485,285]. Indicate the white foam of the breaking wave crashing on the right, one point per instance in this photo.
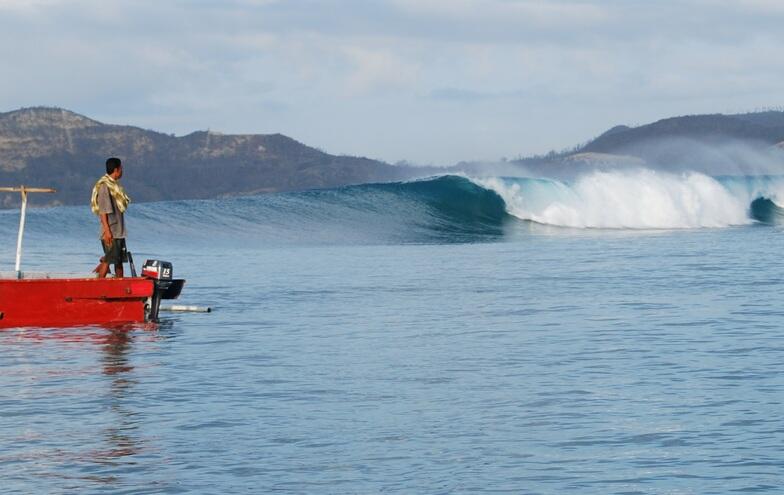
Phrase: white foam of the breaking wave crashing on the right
[636,199]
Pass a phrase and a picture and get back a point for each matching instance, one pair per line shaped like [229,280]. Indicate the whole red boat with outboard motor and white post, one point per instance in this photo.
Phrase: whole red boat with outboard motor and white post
[45,300]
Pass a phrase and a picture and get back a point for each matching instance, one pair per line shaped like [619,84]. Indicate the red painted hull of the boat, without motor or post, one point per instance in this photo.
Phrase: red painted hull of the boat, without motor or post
[73,302]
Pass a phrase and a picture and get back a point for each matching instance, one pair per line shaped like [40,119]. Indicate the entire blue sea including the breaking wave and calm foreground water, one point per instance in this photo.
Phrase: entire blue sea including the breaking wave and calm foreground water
[620,333]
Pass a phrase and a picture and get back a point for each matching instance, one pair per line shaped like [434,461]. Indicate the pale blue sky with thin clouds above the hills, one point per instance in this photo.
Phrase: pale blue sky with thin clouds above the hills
[431,82]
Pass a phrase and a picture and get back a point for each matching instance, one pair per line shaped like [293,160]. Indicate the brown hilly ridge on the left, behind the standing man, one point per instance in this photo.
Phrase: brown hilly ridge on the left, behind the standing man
[53,147]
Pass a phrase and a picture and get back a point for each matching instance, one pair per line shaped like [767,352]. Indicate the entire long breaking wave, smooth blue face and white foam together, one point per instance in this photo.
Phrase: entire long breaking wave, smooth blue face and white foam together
[444,209]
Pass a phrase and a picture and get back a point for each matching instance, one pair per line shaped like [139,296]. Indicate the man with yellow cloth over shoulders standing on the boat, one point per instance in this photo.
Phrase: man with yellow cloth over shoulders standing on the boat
[109,201]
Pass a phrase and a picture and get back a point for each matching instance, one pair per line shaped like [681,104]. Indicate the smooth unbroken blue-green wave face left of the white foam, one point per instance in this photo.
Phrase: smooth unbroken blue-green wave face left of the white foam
[443,209]
